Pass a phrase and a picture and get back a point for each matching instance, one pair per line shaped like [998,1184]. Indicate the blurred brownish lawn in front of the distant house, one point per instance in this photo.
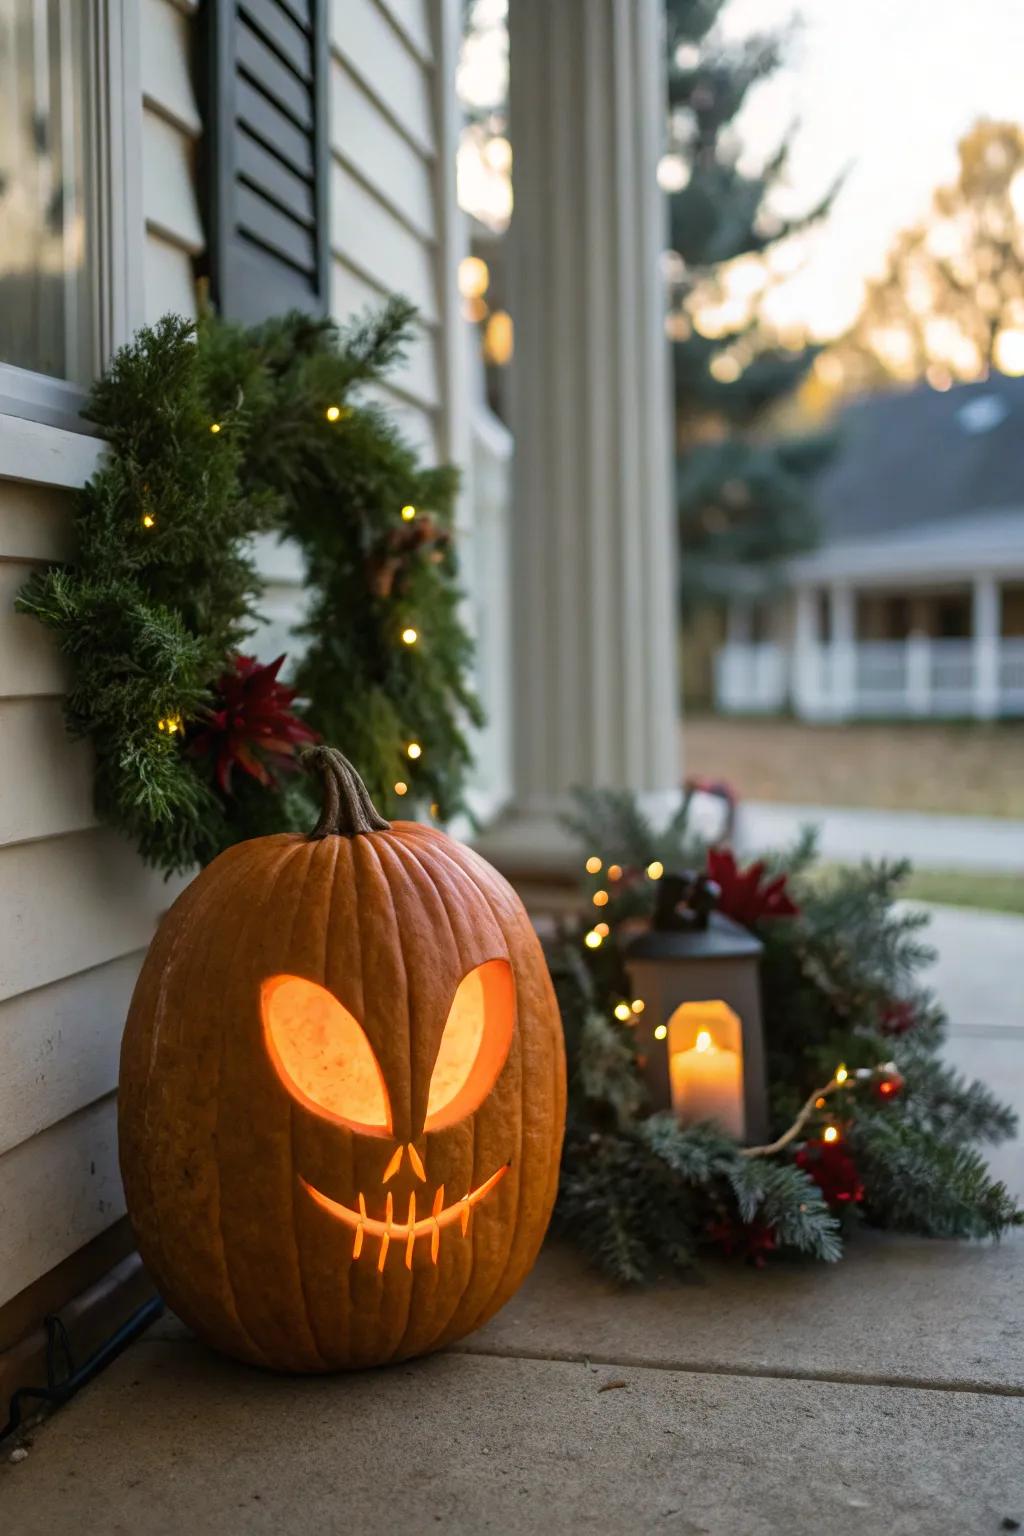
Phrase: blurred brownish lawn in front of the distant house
[960,770]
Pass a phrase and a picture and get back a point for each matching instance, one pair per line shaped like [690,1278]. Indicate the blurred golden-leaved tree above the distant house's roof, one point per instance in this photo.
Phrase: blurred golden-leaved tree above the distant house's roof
[950,305]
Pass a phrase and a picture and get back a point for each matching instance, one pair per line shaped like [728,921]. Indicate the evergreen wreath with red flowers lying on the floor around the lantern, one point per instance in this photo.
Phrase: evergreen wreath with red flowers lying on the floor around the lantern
[868,1122]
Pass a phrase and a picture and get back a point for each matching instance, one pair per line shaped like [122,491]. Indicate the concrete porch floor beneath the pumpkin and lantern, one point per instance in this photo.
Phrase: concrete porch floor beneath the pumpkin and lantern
[884,1397]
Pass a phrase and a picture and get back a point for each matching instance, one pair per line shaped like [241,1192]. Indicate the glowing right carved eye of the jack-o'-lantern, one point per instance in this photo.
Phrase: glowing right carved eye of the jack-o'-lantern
[475,1044]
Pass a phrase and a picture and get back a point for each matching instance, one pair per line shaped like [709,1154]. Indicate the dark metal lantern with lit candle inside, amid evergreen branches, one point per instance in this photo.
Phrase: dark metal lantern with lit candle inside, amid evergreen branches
[699,1034]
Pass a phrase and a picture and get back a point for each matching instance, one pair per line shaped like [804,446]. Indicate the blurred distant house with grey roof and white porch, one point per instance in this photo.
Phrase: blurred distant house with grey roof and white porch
[914,604]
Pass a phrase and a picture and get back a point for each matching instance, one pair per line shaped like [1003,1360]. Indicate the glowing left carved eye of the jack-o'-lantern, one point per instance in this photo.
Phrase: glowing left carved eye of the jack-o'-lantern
[323,1056]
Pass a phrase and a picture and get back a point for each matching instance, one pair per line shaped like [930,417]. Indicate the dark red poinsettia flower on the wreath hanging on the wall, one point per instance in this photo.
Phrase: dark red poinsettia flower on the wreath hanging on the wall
[253,724]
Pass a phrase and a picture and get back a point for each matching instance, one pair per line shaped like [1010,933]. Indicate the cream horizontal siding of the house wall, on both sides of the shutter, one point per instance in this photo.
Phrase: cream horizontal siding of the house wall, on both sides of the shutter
[78,909]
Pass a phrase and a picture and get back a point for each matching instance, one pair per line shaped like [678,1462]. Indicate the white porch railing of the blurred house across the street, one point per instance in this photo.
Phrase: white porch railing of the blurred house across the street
[903,680]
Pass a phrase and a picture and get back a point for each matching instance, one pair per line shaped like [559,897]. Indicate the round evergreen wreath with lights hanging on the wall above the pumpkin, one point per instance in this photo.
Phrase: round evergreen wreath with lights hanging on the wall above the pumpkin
[217,434]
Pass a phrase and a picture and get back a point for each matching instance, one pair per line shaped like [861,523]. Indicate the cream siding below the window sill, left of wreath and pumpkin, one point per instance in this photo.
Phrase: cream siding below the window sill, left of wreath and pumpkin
[78,912]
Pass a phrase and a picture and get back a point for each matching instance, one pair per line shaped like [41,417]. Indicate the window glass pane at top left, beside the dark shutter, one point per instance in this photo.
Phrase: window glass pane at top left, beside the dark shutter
[45,296]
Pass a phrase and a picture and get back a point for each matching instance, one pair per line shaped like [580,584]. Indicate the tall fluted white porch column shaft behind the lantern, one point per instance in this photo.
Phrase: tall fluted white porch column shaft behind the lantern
[595,569]
